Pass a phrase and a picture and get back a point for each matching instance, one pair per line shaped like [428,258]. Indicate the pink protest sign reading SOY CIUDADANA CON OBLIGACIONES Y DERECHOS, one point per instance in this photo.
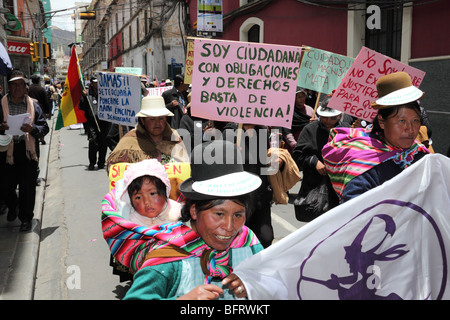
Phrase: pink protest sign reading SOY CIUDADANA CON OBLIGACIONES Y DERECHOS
[244,82]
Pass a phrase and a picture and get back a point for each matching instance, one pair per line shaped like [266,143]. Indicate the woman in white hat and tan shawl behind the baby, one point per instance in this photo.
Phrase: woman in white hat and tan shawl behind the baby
[152,138]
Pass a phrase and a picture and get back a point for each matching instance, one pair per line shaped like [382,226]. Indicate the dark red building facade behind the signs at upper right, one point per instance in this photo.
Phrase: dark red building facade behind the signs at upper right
[409,31]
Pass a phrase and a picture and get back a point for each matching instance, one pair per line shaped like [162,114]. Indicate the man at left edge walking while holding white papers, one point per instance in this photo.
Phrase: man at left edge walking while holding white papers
[19,163]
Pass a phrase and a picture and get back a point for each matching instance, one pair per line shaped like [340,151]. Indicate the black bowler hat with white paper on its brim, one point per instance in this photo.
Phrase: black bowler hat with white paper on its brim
[217,172]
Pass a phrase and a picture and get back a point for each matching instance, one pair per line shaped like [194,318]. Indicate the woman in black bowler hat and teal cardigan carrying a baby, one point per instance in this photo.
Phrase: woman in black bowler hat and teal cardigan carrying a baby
[194,258]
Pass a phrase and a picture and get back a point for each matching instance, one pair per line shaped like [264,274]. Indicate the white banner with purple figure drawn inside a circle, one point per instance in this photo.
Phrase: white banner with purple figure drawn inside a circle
[392,242]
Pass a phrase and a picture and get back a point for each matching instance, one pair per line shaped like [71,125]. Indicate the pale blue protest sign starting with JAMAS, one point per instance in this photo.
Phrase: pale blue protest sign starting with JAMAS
[119,98]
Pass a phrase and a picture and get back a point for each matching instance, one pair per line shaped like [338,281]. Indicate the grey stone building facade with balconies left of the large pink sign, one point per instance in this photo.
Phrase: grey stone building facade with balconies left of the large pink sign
[144,34]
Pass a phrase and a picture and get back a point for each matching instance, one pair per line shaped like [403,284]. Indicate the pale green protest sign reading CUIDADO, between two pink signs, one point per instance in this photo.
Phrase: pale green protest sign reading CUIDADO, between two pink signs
[322,71]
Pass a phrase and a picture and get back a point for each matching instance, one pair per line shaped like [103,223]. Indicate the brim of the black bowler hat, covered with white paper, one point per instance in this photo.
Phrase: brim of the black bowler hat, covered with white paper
[226,186]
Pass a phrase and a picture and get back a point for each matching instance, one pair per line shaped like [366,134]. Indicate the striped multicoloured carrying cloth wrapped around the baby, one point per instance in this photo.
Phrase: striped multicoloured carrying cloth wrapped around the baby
[130,243]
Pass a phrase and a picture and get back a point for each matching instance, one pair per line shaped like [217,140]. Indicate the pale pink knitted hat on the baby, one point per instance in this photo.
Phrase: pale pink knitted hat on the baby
[149,167]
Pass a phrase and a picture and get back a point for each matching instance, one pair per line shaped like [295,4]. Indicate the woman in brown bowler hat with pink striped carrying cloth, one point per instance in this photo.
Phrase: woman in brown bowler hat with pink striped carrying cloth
[358,160]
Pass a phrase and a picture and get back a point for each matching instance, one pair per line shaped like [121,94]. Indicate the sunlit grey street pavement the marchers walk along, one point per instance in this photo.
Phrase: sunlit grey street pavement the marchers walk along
[73,256]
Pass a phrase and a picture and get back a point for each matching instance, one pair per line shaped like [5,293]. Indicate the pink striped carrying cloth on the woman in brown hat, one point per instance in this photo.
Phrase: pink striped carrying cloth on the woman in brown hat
[351,152]
